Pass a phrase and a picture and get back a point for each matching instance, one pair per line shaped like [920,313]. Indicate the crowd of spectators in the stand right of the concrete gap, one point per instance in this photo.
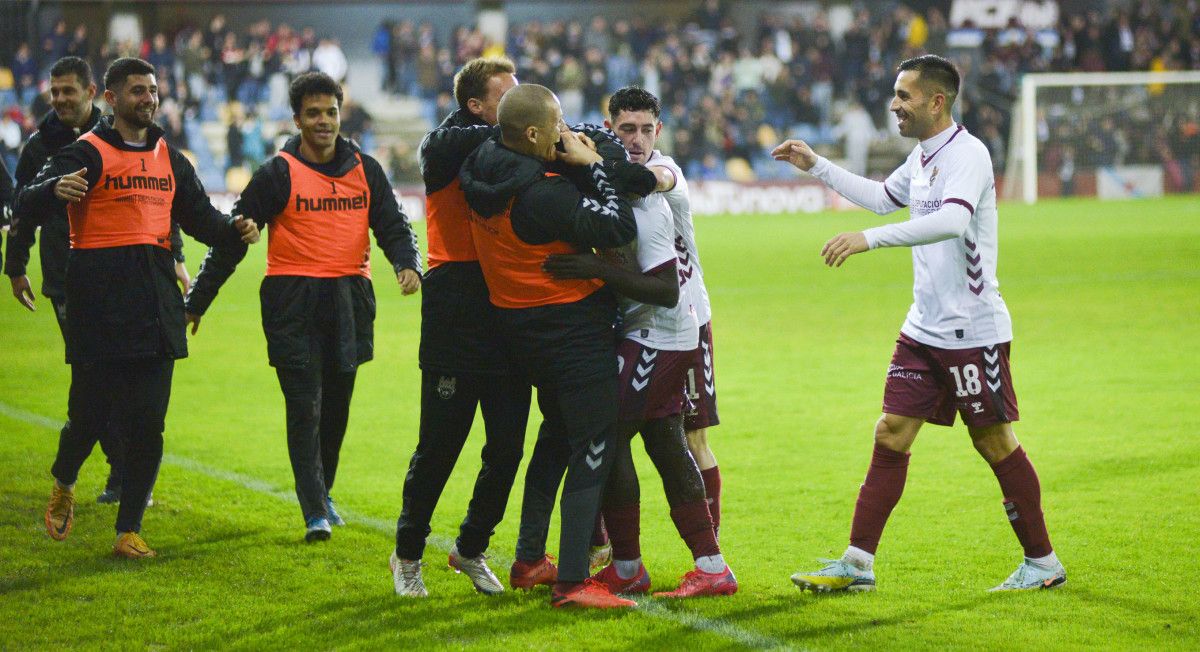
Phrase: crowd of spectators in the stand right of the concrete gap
[730,94]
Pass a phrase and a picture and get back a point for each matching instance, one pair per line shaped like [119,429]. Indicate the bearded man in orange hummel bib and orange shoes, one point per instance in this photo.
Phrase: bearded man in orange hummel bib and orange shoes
[125,328]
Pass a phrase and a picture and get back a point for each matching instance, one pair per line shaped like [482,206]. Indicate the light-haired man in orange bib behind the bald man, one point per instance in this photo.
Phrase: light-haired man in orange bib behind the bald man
[464,362]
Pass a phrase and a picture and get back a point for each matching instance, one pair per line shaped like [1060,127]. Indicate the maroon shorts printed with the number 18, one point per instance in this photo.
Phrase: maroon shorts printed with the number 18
[932,384]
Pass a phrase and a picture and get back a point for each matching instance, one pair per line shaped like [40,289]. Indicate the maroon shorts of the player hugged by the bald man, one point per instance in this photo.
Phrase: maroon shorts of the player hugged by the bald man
[651,381]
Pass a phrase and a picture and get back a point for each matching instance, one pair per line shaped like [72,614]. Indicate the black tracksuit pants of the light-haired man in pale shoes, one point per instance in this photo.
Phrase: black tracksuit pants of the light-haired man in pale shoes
[448,410]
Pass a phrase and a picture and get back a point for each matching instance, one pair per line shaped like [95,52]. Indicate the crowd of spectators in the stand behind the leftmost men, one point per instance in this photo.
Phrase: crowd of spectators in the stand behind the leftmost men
[207,74]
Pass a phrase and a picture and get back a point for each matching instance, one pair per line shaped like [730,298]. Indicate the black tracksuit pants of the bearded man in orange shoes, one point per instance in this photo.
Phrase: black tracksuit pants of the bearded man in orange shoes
[134,393]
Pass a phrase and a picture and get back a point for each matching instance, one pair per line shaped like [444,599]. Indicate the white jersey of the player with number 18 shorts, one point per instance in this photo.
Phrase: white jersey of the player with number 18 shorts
[957,302]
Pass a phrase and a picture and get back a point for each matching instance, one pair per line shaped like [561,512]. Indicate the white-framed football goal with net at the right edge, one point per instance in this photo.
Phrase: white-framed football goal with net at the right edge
[1090,122]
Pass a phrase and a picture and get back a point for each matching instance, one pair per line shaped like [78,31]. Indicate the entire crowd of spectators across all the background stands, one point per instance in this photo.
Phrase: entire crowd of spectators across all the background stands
[729,94]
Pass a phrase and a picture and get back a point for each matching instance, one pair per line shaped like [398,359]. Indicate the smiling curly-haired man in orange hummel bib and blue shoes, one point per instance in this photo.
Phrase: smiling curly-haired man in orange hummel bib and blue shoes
[320,196]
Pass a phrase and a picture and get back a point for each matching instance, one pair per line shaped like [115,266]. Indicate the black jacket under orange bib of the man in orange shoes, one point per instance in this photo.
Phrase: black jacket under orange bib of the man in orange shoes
[123,302]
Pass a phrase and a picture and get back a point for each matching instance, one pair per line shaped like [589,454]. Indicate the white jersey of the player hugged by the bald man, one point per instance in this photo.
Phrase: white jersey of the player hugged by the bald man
[657,327]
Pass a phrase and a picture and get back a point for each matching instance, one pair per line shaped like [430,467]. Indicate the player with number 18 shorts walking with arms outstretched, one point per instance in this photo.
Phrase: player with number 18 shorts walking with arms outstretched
[953,350]
